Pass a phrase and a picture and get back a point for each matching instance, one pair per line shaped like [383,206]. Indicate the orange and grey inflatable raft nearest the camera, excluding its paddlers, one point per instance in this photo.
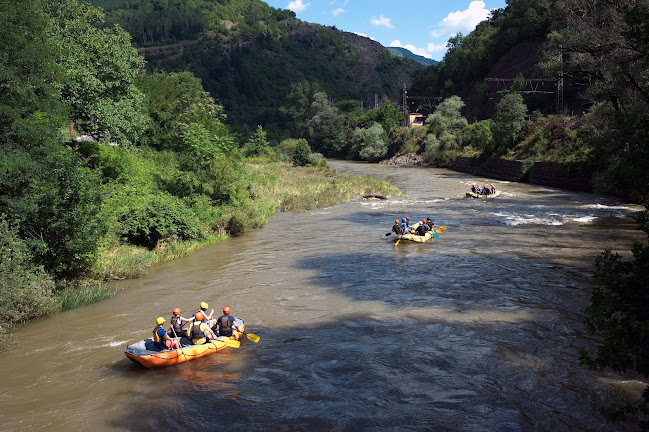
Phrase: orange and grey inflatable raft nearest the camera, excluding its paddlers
[145,352]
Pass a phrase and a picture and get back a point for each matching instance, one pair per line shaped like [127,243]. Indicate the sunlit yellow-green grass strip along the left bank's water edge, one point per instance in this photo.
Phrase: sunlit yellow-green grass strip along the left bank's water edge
[274,186]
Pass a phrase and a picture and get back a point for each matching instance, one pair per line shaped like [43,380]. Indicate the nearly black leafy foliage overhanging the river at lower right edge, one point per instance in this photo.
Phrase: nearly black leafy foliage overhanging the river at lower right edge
[618,312]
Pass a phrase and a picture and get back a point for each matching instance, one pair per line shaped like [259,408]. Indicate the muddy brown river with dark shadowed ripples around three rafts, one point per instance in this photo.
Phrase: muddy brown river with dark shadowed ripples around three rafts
[479,330]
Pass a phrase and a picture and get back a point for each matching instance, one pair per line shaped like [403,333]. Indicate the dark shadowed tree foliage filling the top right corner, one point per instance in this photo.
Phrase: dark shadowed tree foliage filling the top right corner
[605,46]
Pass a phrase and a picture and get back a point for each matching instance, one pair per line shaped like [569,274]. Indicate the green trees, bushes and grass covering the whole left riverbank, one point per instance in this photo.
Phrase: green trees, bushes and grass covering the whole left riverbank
[162,175]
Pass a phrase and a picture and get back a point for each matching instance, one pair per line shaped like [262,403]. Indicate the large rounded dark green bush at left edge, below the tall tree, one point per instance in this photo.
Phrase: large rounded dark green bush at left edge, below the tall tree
[53,200]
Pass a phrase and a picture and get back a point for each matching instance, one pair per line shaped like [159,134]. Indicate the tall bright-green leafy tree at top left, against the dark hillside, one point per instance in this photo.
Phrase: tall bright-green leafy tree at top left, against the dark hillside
[99,67]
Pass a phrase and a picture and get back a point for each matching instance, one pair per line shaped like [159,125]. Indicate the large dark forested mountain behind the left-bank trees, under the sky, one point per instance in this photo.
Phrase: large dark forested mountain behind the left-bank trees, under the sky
[248,55]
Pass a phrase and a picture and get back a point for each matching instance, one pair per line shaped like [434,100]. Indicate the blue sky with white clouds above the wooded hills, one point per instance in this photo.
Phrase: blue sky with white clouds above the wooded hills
[422,27]
